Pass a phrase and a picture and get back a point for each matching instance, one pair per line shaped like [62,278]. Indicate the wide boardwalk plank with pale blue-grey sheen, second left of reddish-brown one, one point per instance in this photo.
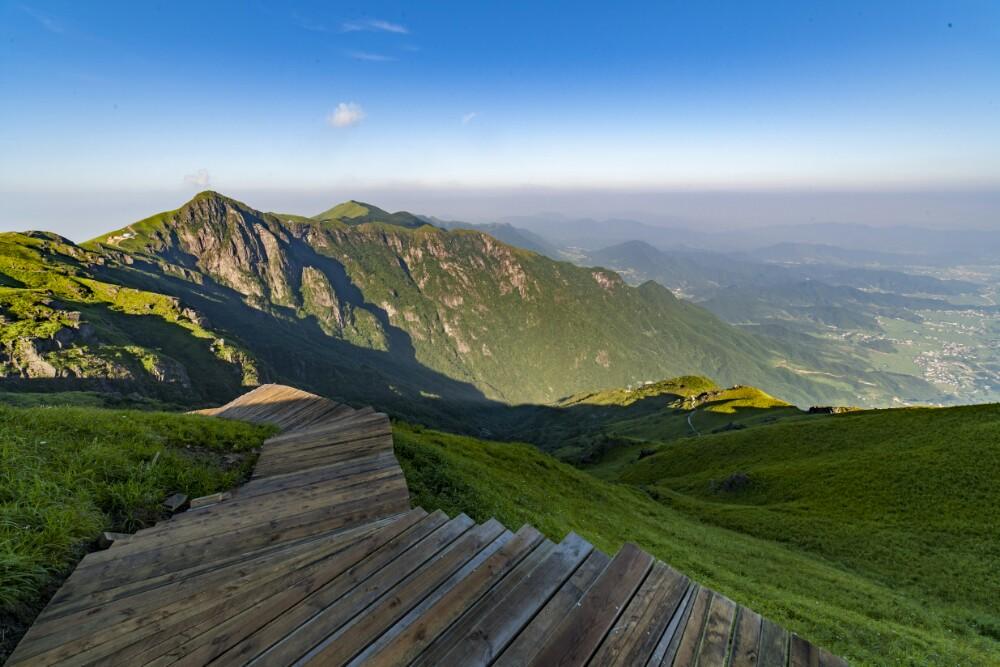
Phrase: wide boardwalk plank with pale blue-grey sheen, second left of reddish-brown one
[487,638]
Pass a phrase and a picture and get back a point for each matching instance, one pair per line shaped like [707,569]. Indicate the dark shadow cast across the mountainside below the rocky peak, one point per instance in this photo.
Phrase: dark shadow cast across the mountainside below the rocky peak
[294,350]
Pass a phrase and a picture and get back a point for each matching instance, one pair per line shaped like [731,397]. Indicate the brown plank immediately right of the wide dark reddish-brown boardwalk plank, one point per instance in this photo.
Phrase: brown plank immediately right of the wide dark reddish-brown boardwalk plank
[642,624]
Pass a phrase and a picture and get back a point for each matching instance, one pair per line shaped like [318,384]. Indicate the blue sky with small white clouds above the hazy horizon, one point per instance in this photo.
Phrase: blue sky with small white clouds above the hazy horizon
[392,98]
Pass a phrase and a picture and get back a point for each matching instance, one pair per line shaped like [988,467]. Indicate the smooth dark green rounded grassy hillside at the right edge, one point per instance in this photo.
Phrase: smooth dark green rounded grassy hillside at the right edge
[907,497]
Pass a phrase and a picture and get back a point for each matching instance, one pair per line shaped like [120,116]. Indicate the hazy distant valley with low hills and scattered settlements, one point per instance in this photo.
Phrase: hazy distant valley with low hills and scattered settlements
[929,311]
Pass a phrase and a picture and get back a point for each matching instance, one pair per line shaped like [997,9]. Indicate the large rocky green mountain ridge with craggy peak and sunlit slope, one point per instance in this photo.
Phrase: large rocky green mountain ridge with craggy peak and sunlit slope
[517,326]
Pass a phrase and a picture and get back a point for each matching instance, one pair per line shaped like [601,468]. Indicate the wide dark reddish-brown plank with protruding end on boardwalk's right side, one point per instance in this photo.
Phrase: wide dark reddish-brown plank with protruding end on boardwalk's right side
[579,635]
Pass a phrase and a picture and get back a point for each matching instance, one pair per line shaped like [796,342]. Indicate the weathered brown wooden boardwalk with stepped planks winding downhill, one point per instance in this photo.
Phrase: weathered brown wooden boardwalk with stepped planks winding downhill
[319,559]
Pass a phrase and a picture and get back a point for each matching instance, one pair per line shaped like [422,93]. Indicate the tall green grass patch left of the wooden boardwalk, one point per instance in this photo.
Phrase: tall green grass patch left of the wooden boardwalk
[68,473]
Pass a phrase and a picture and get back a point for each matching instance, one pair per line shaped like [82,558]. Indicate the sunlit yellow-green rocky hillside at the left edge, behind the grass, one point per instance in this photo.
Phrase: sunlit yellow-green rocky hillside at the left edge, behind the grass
[62,328]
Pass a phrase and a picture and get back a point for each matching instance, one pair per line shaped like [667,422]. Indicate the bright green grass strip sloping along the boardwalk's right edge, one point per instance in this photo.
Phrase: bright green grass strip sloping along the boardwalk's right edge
[858,615]
